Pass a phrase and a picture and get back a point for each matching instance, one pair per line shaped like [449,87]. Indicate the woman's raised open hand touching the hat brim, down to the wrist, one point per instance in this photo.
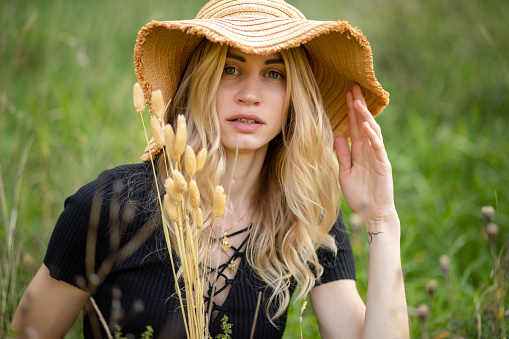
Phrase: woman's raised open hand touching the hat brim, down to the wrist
[365,173]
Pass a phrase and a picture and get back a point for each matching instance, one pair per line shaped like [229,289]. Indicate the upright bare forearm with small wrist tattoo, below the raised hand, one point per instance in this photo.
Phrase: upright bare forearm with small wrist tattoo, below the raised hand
[386,308]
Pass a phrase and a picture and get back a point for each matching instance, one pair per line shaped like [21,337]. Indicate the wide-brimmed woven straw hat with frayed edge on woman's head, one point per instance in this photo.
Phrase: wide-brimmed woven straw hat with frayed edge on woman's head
[339,54]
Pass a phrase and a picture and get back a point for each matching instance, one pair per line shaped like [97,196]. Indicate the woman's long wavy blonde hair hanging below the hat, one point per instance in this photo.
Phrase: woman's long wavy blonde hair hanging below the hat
[297,201]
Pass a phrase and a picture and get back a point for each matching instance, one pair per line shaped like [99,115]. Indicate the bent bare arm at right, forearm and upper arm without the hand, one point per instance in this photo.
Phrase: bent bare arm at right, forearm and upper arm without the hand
[341,312]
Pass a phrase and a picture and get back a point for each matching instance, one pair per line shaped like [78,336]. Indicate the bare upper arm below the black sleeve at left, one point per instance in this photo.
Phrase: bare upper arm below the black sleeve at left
[48,307]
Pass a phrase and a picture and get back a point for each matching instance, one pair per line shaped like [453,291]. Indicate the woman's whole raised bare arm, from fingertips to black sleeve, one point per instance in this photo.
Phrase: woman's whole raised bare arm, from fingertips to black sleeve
[365,176]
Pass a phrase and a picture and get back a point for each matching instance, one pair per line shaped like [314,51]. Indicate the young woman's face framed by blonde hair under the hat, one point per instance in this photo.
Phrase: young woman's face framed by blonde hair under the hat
[250,100]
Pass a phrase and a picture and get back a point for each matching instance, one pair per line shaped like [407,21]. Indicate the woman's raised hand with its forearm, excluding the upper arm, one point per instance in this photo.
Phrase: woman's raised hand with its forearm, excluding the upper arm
[365,176]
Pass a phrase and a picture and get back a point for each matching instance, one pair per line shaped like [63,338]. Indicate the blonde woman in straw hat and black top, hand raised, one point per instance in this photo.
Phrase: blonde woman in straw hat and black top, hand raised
[264,91]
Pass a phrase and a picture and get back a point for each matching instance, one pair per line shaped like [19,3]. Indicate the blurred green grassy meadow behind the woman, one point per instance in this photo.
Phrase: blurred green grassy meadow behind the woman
[66,76]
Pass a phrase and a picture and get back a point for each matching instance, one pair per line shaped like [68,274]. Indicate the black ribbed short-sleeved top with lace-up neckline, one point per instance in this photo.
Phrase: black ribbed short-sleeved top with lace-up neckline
[130,275]
